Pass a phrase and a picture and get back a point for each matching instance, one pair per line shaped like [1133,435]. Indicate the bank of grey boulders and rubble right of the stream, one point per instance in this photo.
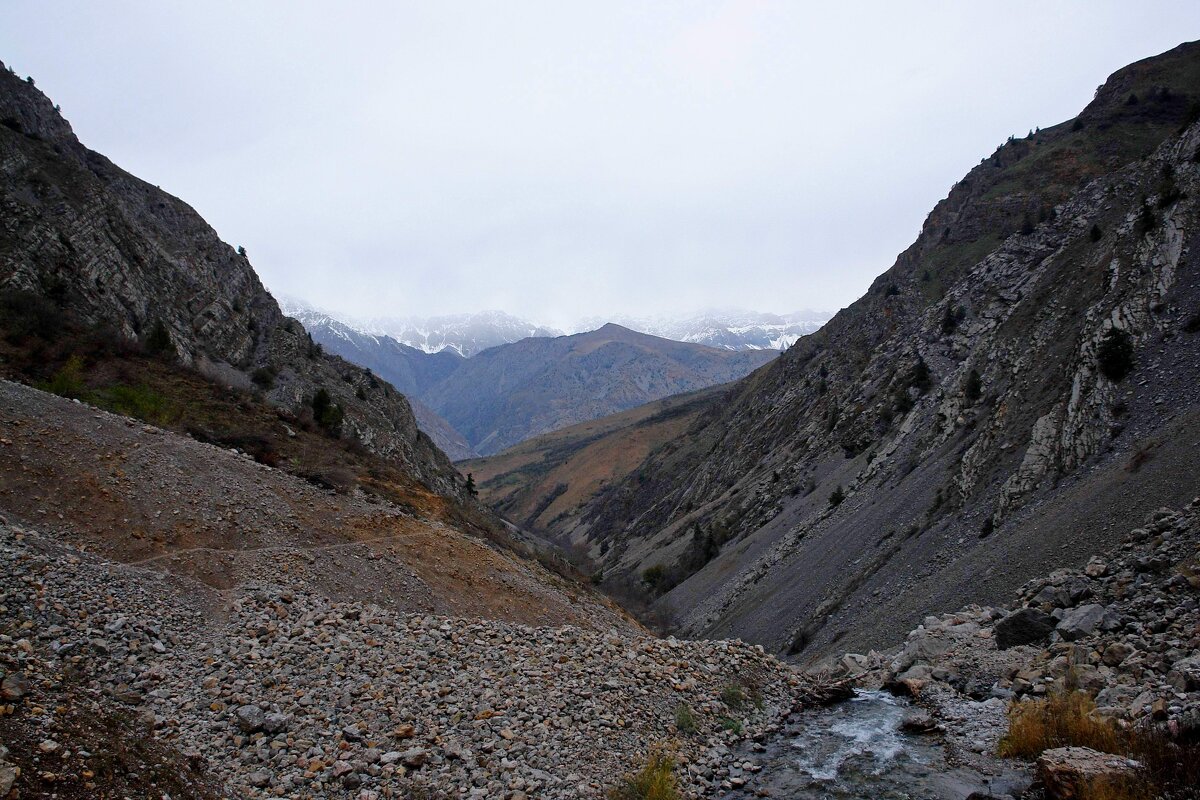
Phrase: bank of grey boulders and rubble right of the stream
[1125,629]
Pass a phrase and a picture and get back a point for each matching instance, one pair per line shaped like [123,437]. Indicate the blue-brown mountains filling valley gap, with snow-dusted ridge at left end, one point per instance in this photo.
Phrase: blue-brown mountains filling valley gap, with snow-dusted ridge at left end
[509,393]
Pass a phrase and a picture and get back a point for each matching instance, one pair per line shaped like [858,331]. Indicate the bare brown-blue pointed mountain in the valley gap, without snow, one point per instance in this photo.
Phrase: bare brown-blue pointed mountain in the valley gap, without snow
[512,393]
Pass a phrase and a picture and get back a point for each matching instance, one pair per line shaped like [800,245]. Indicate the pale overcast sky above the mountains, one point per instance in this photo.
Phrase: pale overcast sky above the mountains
[563,160]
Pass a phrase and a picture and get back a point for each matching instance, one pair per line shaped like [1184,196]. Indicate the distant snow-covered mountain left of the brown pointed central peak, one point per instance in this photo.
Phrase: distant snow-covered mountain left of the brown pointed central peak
[464,334]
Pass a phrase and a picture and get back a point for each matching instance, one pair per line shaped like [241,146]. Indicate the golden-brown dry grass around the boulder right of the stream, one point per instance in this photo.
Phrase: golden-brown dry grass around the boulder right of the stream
[1069,720]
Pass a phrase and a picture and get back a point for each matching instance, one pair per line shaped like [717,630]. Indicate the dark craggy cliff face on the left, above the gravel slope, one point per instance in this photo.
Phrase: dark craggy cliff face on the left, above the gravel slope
[116,254]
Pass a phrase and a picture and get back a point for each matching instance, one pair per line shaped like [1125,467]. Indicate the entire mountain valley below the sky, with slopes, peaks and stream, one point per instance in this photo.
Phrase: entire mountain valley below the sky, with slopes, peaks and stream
[944,544]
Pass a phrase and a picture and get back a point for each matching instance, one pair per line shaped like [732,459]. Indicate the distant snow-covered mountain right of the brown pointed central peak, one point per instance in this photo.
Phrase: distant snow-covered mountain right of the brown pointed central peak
[728,329]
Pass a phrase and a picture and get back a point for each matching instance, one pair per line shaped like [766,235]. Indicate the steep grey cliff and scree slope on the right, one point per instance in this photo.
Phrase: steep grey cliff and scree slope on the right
[1024,377]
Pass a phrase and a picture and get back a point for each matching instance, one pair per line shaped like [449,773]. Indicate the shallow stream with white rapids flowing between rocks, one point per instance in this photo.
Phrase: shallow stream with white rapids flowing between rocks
[857,749]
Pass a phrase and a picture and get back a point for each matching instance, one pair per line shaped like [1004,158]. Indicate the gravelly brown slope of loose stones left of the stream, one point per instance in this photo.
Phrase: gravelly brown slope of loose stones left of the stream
[243,634]
